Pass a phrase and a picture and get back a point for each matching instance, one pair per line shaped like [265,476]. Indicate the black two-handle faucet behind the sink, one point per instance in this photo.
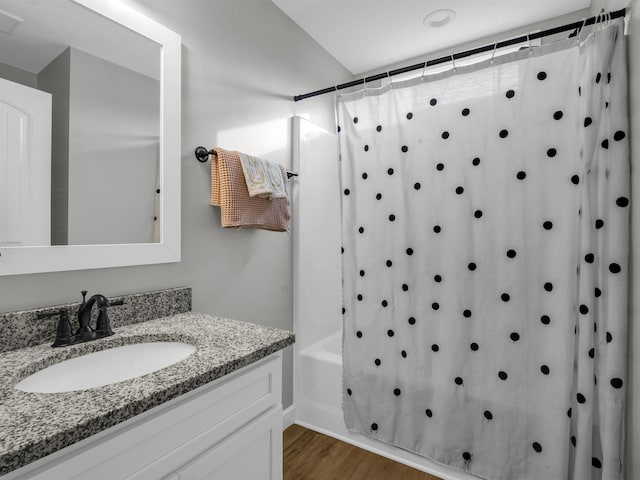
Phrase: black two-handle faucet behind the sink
[84,333]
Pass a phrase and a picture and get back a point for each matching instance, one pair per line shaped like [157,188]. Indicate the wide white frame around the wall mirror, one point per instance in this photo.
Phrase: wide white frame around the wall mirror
[37,259]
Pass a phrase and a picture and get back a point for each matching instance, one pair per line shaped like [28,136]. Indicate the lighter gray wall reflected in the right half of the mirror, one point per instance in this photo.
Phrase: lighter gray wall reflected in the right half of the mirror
[114,135]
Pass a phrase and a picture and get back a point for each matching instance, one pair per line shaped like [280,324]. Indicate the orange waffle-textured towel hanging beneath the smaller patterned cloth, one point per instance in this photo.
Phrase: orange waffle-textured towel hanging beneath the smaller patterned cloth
[238,209]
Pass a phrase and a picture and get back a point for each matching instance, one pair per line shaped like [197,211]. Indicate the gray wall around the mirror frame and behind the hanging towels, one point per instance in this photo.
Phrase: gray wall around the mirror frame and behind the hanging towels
[242,60]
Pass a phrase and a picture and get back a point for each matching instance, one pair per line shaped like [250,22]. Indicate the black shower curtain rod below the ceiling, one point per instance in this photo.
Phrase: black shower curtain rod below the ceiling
[456,56]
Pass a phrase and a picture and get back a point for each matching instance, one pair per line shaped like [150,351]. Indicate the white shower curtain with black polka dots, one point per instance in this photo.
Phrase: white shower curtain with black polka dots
[485,216]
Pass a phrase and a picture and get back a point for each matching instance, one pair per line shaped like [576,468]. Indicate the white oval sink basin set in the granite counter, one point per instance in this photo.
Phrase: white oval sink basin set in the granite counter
[106,367]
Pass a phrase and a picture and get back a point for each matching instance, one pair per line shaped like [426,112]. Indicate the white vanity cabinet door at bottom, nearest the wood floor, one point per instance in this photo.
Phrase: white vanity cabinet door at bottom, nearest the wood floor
[252,453]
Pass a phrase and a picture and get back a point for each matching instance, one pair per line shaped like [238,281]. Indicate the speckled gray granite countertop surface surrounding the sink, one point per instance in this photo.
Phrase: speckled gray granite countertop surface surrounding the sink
[33,425]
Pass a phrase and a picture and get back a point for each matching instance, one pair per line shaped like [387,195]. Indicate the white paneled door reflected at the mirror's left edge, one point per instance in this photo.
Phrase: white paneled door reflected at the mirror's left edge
[25,165]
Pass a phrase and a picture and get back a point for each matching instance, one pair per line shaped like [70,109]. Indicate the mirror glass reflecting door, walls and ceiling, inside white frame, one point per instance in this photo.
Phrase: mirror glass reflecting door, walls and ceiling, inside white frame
[79,128]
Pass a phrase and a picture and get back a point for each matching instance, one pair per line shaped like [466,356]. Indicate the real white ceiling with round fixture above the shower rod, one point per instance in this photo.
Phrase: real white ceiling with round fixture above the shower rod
[365,35]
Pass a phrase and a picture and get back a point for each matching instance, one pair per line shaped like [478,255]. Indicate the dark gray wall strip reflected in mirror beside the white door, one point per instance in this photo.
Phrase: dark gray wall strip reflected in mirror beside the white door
[55,79]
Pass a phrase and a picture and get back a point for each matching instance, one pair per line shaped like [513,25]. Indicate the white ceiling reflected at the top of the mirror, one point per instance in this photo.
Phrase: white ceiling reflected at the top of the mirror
[50,26]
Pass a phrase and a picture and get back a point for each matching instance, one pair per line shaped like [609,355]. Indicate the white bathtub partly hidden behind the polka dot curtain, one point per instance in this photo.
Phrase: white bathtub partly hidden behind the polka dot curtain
[319,406]
